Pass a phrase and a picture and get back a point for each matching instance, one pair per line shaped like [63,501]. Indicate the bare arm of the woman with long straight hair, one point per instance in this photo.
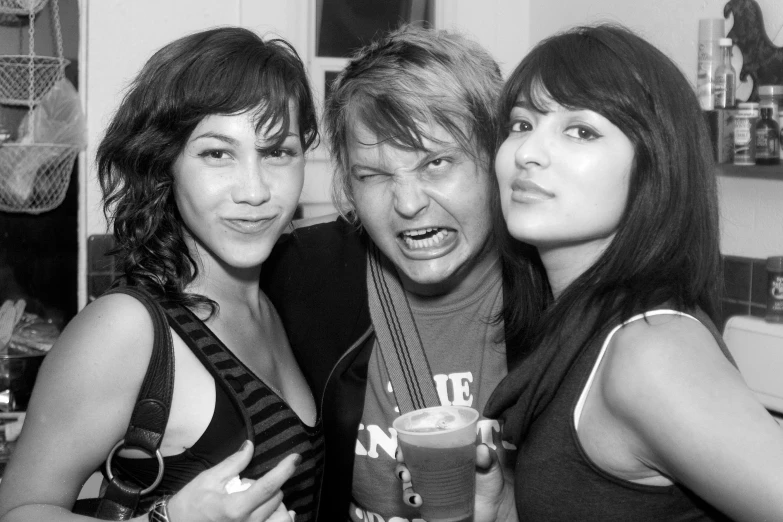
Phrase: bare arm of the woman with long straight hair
[695,419]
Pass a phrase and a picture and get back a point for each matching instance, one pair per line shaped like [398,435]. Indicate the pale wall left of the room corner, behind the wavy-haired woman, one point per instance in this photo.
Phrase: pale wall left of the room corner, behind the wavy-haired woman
[119,35]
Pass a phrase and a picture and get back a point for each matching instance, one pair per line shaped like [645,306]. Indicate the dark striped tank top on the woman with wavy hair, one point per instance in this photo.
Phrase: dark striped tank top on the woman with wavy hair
[245,408]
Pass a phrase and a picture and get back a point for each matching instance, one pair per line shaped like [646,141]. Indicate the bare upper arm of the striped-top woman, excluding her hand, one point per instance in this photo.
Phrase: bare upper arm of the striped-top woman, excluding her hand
[81,405]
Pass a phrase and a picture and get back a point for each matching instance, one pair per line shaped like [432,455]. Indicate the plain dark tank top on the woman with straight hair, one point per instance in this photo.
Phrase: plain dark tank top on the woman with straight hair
[556,481]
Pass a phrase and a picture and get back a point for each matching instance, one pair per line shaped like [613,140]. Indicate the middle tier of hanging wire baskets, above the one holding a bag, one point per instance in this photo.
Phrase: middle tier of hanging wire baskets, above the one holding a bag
[15,74]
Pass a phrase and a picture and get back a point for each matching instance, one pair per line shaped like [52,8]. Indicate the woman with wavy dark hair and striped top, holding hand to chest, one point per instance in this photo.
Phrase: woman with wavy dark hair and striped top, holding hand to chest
[201,169]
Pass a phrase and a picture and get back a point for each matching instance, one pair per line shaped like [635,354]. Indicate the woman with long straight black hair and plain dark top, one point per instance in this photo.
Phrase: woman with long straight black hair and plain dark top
[627,405]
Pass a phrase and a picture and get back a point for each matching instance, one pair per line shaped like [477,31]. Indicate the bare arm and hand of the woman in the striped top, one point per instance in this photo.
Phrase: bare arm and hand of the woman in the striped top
[81,406]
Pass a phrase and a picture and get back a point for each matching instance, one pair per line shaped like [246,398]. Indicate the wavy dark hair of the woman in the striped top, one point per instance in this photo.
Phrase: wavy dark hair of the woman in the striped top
[226,70]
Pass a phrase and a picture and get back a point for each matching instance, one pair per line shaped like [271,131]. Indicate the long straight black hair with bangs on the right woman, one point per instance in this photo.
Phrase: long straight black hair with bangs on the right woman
[666,249]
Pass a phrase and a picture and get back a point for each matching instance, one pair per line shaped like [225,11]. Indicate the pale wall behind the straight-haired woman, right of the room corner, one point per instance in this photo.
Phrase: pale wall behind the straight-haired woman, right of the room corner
[751,209]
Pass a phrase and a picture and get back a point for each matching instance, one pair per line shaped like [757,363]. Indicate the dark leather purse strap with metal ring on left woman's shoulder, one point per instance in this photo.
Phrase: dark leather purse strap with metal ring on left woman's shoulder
[121,500]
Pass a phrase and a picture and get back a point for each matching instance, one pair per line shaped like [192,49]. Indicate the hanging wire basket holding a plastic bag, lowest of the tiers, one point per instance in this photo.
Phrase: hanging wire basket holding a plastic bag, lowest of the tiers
[34,177]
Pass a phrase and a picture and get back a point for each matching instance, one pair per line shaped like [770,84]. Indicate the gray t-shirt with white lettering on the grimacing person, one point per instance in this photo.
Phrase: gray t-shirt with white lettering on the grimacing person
[467,355]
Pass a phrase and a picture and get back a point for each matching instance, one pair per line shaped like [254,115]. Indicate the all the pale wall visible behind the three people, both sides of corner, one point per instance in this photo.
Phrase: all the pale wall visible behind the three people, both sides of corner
[118,36]
